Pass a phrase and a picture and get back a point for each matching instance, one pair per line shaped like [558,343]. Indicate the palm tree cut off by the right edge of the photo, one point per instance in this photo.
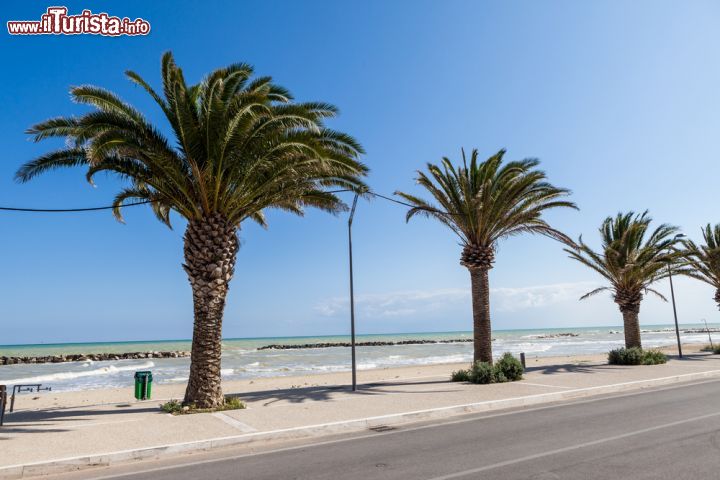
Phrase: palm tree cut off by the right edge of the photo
[703,261]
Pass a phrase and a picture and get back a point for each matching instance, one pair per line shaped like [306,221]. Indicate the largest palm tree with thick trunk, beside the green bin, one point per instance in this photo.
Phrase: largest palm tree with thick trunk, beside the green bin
[240,145]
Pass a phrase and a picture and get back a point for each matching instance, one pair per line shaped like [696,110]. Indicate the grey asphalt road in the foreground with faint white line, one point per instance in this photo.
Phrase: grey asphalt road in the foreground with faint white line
[671,433]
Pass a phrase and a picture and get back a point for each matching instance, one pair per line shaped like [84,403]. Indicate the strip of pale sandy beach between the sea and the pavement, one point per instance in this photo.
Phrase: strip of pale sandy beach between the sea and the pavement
[165,392]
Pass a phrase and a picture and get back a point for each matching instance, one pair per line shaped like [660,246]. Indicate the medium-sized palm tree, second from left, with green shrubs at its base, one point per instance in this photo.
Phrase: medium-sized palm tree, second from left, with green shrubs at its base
[483,203]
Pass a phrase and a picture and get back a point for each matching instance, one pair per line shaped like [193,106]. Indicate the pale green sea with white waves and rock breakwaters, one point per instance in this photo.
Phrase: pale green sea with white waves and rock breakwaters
[243,360]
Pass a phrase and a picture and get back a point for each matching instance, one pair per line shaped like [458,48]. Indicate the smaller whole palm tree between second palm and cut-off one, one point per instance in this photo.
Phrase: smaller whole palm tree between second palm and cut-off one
[630,261]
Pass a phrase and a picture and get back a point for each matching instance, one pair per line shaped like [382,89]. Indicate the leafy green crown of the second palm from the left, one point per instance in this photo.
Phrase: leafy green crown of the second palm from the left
[485,202]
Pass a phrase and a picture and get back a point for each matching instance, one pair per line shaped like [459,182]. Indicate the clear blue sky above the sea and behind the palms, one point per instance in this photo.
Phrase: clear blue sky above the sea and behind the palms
[619,101]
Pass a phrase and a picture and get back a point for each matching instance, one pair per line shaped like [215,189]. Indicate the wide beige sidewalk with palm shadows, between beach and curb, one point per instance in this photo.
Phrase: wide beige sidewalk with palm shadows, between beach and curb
[88,435]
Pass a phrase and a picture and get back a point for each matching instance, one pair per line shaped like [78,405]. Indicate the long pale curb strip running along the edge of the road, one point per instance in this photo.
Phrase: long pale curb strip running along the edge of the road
[64,465]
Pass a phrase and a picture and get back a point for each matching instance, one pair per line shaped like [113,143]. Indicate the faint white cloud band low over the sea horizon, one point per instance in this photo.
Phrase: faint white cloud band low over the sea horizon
[407,303]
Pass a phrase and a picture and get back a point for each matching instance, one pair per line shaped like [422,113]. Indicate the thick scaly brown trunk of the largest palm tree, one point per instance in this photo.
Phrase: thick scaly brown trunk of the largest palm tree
[211,247]
